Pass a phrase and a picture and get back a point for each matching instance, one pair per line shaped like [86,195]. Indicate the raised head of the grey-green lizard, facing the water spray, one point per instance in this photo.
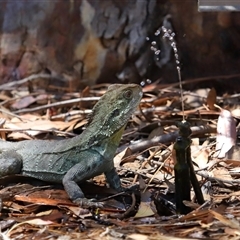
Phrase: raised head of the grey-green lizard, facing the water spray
[112,112]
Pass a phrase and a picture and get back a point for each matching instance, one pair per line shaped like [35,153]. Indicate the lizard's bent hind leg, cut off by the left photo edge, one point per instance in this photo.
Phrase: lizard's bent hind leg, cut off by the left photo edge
[10,163]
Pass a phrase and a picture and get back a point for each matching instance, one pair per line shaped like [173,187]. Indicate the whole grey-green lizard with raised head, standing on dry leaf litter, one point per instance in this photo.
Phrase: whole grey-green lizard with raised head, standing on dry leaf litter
[74,160]
